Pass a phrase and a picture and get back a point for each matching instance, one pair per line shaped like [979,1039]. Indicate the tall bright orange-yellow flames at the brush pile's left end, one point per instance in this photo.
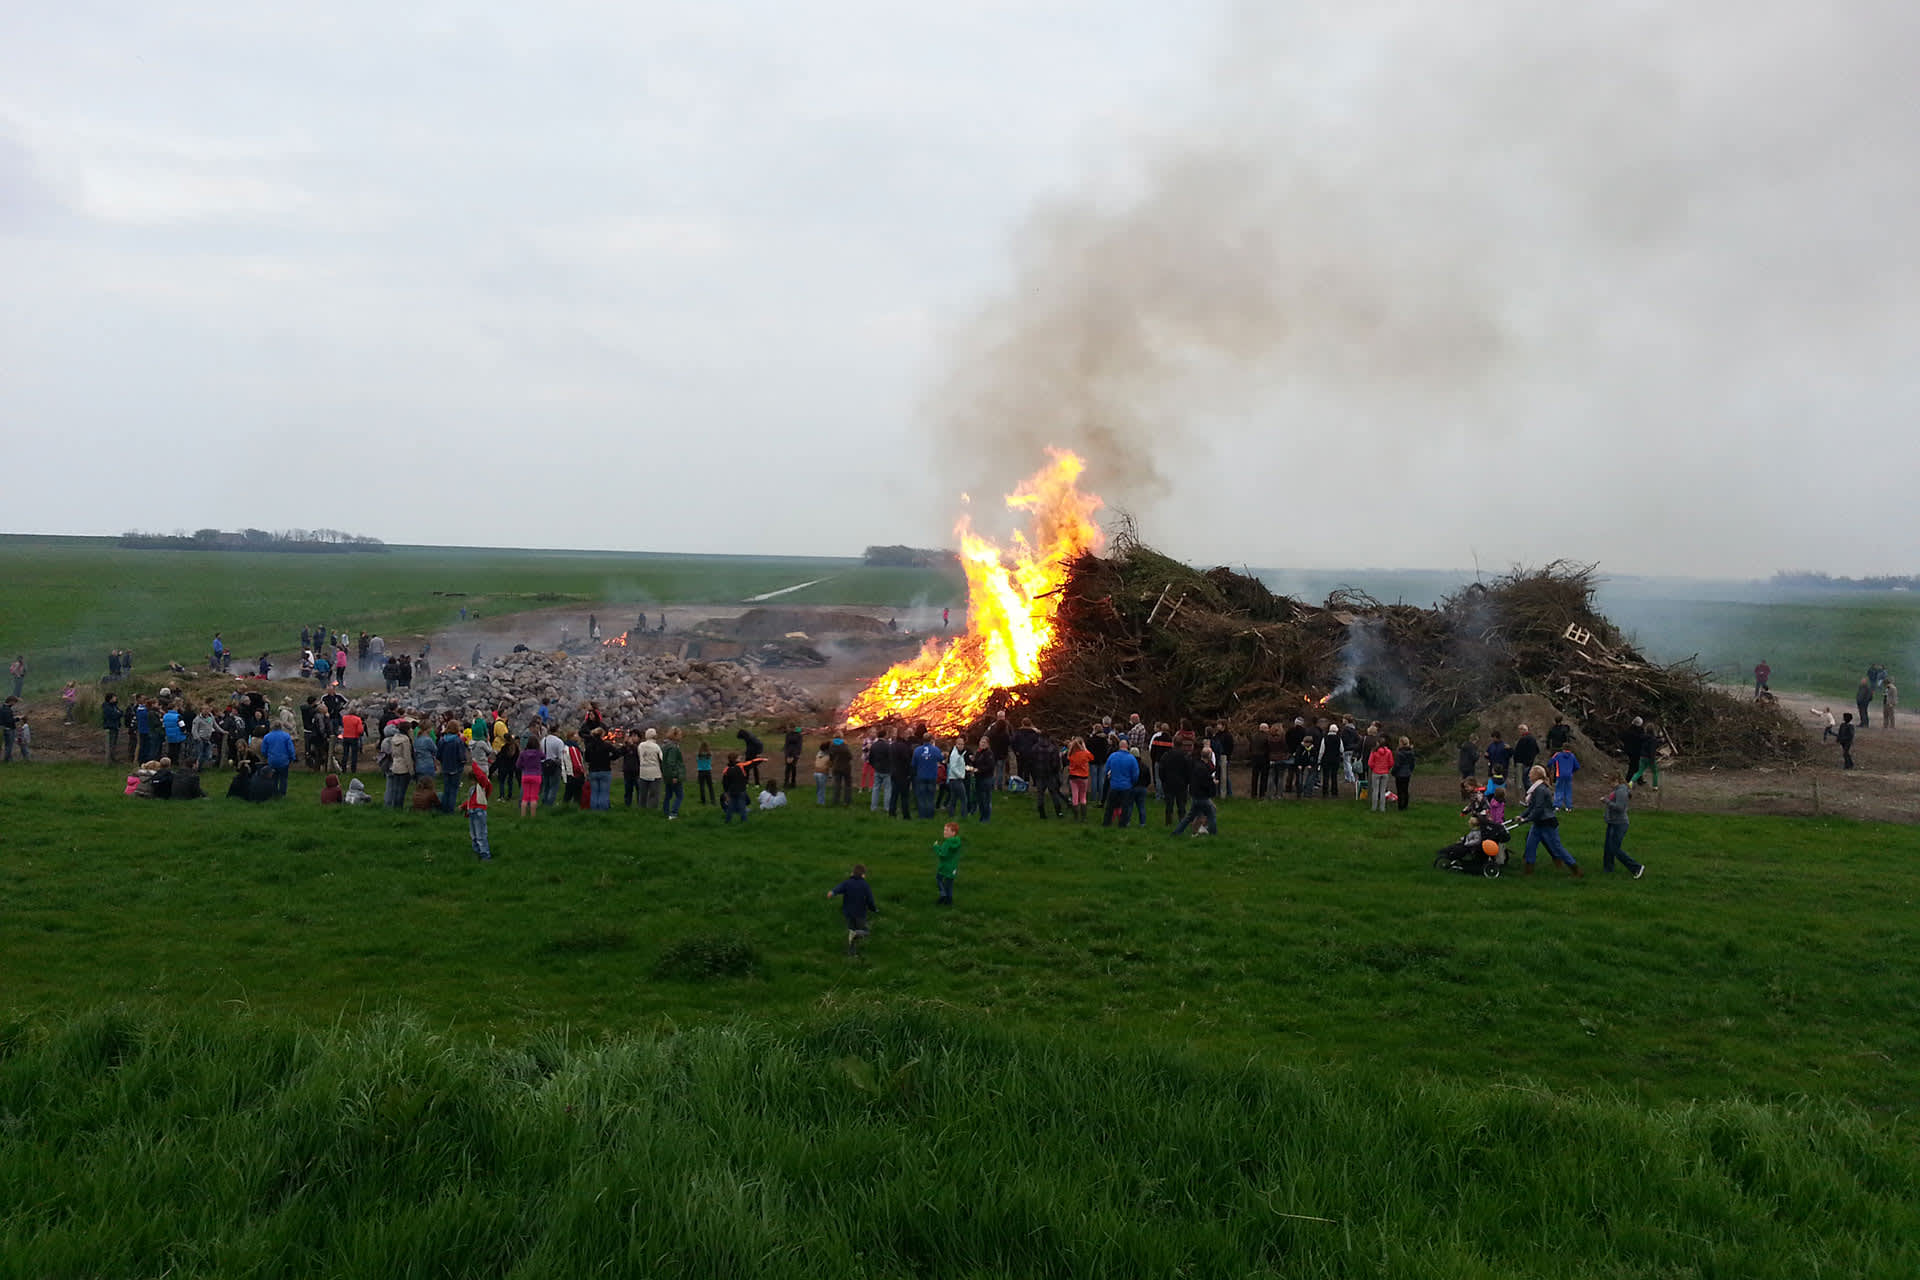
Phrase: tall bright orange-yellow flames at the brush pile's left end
[1013,598]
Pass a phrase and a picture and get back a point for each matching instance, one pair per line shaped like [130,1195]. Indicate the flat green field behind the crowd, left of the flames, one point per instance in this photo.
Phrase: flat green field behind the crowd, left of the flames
[70,600]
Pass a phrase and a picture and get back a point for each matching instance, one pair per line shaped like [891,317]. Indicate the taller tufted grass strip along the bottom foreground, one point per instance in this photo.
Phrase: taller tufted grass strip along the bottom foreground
[900,1145]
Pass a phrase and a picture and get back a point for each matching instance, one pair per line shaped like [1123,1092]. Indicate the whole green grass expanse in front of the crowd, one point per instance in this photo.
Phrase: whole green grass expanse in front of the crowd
[256,1041]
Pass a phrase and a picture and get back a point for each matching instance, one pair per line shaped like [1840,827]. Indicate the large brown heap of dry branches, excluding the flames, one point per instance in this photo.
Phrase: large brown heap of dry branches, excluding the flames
[1141,632]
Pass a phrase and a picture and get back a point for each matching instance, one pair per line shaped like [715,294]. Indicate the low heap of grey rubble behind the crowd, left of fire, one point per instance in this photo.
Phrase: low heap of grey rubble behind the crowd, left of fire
[633,690]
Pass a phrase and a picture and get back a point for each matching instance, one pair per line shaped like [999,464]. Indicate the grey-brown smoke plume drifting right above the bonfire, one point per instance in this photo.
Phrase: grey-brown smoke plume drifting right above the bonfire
[1637,279]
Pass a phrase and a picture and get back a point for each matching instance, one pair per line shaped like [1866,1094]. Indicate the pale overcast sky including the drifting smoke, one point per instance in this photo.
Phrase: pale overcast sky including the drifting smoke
[1316,285]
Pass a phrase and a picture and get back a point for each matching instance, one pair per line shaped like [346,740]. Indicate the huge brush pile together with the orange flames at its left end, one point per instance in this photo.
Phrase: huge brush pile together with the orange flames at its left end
[1140,632]
